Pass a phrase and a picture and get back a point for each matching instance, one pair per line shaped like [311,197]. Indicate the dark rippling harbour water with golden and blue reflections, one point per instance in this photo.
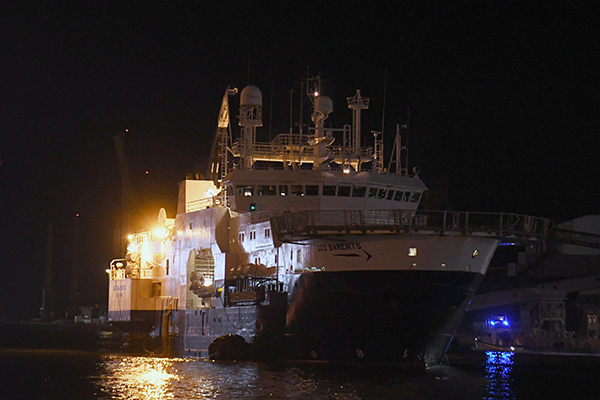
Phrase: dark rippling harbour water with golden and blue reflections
[72,375]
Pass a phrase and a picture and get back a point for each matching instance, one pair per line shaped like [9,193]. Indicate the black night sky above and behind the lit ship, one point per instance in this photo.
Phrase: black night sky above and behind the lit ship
[503,100]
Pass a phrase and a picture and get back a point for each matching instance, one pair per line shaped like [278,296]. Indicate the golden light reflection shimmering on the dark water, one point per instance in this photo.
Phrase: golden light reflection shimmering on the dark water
[162,378]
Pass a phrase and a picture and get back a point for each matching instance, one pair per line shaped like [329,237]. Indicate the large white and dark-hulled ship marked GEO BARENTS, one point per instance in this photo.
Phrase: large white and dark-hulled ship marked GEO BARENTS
[305,247]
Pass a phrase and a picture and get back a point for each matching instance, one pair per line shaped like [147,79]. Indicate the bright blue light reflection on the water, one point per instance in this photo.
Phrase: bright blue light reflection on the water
[498,368]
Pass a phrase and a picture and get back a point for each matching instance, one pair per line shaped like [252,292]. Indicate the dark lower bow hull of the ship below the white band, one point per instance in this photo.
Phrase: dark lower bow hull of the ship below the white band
[377,316]
